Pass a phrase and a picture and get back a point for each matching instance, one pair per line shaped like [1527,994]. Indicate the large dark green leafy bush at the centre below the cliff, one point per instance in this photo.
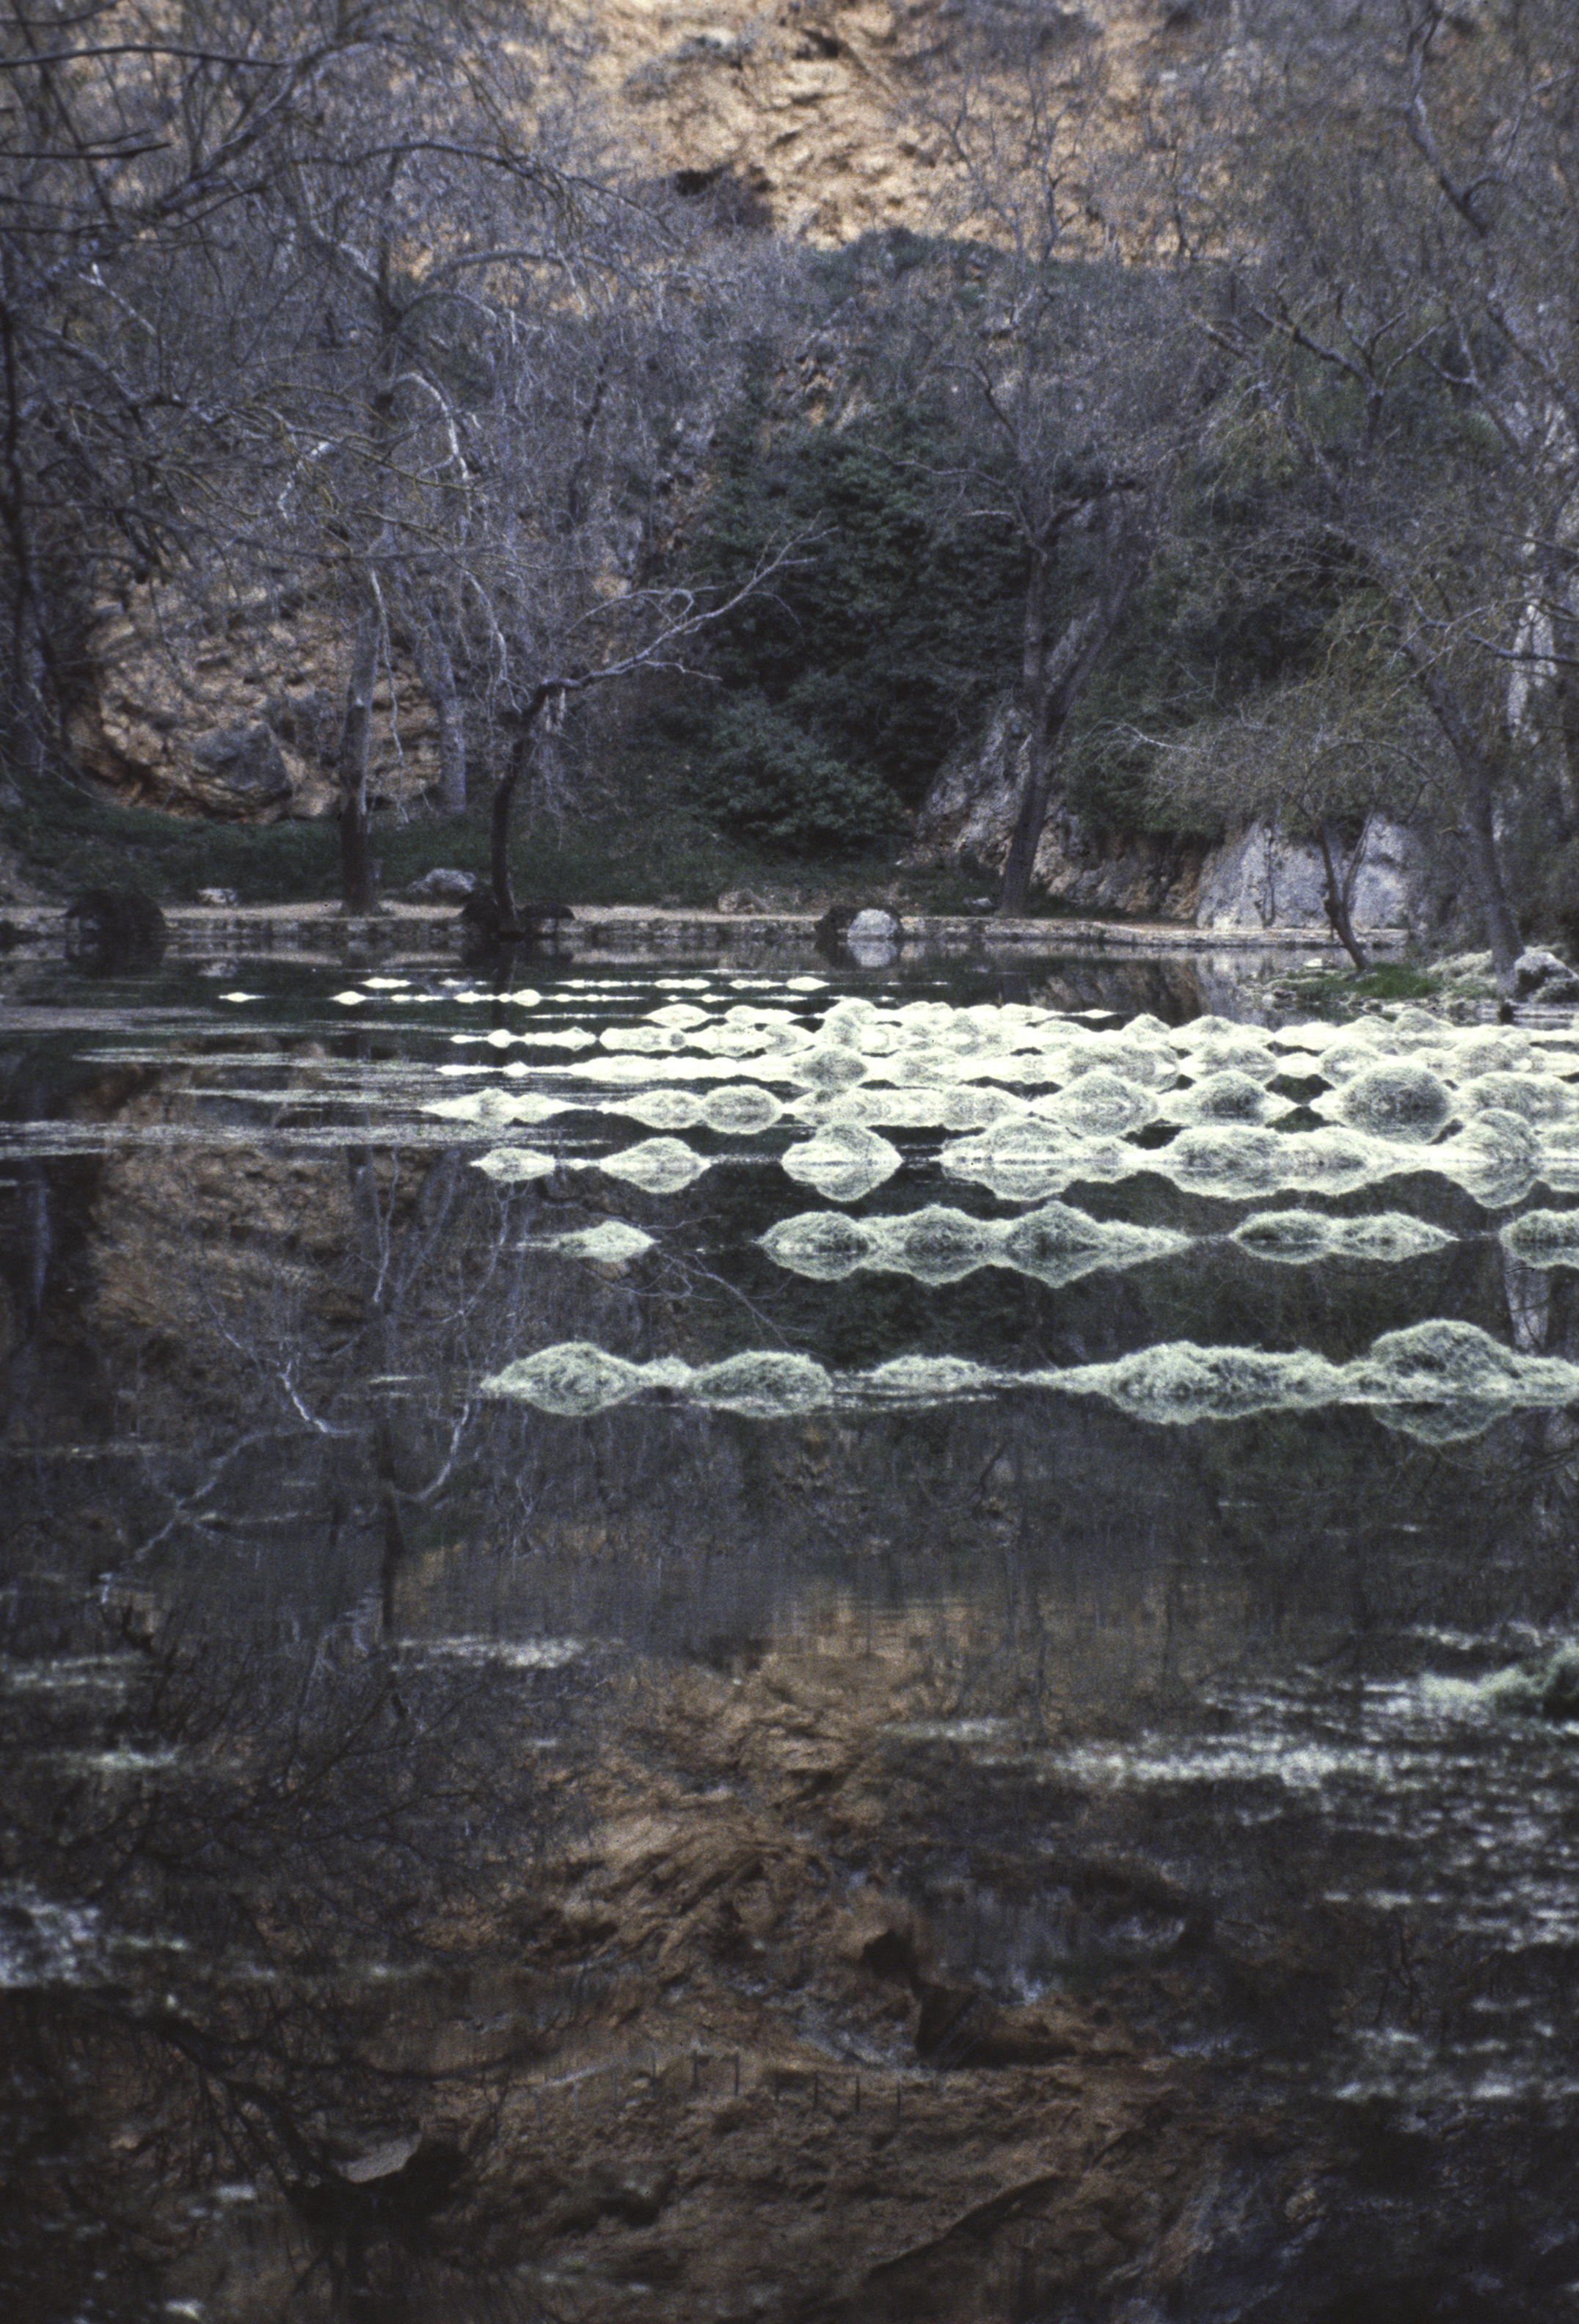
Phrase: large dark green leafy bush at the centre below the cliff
[878,647]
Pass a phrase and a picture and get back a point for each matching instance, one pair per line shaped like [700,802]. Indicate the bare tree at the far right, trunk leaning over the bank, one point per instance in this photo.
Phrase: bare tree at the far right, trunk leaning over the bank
[1382,210]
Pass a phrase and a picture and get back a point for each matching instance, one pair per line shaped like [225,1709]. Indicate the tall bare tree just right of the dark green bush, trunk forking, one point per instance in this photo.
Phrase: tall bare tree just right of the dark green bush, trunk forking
[1071,371]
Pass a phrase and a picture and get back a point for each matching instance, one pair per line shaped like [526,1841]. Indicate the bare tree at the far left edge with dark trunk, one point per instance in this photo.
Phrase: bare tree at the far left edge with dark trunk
[138,150]
